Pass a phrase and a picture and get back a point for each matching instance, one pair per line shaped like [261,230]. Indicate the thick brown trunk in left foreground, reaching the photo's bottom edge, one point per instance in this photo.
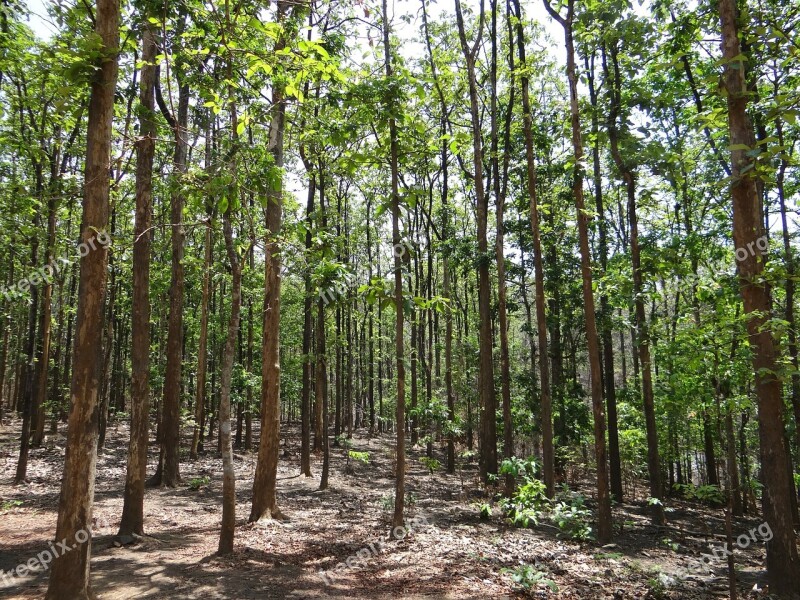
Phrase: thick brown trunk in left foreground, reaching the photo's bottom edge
[69,573]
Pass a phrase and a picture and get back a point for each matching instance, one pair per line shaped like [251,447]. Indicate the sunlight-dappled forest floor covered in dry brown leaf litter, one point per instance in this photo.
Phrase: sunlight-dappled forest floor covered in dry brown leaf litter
[456,555]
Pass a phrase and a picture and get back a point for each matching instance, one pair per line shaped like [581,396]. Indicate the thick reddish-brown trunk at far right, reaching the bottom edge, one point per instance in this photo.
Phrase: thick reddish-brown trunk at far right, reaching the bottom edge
[782,558]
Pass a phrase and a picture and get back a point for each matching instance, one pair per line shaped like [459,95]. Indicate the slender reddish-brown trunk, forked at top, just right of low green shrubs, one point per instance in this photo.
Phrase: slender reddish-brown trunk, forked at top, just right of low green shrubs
[603,499]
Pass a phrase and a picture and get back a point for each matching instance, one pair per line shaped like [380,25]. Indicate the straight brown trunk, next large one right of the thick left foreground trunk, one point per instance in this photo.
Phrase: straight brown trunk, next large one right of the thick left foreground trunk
[132,521]
